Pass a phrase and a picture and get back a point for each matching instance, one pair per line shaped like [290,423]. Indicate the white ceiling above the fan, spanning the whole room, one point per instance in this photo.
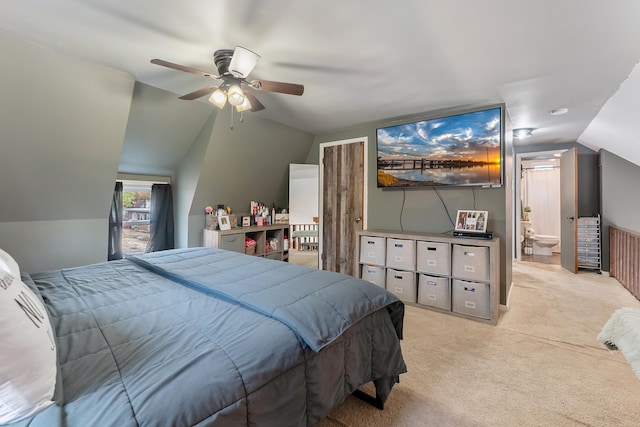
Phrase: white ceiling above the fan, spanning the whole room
[362,60]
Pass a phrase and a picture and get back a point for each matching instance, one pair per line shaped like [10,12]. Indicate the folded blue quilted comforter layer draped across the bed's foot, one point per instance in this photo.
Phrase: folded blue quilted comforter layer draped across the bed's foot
[317,305]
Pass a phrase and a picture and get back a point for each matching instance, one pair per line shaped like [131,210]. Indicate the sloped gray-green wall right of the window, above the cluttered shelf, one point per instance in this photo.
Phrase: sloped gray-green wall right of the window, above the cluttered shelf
[234,166]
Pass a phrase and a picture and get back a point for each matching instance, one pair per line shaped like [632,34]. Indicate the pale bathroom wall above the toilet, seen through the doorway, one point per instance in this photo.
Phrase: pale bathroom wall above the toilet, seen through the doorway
[540,190]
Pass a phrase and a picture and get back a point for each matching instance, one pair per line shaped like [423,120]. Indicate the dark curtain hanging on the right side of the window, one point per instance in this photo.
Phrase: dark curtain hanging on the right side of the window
[161,221]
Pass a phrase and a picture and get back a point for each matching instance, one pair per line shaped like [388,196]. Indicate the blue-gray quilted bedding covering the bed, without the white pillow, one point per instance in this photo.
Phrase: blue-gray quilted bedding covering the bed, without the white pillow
[204,337]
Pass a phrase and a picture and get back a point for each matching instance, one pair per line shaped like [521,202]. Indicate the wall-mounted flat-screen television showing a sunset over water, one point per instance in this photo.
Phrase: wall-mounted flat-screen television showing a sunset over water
[455,150]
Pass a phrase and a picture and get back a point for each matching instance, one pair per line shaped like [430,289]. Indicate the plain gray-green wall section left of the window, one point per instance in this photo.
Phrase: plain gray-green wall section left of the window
[62,126]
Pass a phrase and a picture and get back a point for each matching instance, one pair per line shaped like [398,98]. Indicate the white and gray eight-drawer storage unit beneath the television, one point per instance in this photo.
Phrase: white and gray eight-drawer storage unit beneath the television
[453,275]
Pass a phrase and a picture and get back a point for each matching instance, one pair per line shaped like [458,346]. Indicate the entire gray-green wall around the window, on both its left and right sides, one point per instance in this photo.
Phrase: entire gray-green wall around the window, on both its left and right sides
[66,132]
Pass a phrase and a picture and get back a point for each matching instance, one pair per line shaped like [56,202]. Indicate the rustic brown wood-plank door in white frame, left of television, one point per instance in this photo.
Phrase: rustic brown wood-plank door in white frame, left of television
[342,204]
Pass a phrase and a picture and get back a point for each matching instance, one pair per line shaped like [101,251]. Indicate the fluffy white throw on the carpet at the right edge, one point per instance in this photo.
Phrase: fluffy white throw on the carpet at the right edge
[622,332]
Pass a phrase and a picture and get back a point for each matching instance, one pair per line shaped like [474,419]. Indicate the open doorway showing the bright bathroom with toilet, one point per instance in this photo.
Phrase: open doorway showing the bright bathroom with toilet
[538,207]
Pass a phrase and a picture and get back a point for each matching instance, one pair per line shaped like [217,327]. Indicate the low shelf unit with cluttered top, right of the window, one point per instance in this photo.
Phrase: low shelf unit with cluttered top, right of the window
[269,240]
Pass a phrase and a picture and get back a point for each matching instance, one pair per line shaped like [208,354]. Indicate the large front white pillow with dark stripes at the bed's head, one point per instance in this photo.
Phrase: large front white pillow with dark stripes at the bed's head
[27,352]
